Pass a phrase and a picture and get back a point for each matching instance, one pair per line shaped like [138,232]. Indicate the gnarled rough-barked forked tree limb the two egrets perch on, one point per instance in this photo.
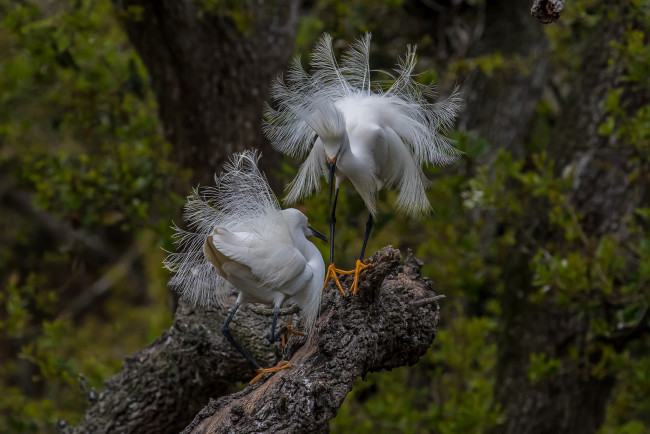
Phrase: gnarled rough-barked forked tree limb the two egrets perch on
[391,323]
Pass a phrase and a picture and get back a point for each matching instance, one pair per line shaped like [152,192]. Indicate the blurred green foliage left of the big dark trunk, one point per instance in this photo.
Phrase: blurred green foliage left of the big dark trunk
[82,150]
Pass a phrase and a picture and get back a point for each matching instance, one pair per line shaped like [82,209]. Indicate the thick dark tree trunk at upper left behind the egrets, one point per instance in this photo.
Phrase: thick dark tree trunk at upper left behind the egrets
[211,74]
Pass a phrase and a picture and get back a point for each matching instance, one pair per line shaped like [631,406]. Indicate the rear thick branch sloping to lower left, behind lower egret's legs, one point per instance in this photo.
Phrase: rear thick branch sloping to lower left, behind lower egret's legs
[161,387]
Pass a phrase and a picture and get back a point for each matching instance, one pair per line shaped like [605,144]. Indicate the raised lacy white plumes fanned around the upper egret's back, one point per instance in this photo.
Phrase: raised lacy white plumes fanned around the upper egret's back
[405,103]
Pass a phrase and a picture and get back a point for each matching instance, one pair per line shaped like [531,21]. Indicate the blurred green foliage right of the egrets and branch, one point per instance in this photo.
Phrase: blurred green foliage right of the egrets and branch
[600,278]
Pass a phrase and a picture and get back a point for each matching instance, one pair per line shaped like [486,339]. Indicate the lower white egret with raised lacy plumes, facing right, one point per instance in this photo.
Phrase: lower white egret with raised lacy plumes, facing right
[239,240]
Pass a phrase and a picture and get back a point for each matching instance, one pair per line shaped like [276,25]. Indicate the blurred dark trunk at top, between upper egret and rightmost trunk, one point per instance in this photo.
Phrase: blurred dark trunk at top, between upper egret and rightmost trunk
[501,107]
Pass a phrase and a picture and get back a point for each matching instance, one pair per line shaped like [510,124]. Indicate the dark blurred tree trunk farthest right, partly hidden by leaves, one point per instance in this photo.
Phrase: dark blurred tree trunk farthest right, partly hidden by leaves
[603,194]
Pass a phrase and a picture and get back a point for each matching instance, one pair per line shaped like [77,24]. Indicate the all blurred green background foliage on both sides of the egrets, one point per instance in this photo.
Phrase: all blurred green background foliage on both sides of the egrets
[82,142]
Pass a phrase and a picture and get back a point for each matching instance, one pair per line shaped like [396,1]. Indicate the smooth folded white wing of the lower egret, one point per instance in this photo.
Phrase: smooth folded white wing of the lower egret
[270,258]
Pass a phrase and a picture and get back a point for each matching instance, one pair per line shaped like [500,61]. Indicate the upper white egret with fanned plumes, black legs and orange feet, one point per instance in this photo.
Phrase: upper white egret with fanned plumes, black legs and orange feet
[346,126]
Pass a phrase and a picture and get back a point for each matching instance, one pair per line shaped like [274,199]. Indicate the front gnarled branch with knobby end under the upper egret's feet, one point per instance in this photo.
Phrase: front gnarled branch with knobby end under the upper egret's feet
[392,323]
